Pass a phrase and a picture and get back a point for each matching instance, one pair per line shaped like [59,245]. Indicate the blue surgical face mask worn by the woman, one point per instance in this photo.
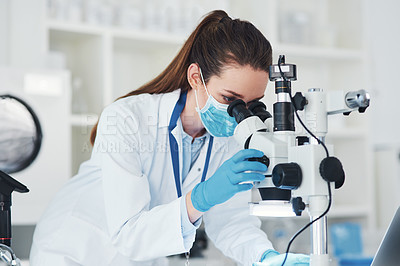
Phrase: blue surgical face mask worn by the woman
[214,116]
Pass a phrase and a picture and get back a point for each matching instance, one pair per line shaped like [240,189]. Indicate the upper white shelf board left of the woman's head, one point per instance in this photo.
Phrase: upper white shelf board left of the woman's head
[125,34]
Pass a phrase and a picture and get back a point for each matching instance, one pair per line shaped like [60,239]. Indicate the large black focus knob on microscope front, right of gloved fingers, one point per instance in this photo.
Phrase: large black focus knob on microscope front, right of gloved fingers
[287,176]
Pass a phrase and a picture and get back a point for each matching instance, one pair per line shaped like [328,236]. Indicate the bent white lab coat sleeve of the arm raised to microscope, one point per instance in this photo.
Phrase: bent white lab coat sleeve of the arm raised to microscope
[137,231]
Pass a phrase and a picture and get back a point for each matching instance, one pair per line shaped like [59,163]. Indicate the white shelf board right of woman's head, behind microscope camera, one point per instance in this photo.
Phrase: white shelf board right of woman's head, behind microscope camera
[318,52]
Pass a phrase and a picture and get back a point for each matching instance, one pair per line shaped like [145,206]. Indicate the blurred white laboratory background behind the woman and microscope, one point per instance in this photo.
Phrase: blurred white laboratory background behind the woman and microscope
[70,58]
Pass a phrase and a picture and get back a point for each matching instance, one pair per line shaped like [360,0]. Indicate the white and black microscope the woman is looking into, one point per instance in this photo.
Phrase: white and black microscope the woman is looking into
[302,171]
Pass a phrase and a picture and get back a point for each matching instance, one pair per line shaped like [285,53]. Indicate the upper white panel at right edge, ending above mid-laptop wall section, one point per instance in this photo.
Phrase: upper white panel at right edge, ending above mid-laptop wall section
[383,20]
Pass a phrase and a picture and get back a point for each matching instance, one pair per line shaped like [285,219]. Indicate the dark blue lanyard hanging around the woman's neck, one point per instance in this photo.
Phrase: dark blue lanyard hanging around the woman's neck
[174,145]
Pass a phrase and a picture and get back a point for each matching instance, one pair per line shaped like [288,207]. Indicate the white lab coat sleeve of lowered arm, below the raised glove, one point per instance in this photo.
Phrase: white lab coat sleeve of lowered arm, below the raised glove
[236,233]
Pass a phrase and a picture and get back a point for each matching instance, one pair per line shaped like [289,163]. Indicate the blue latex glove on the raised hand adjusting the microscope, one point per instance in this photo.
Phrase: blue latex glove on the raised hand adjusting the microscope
[225,183]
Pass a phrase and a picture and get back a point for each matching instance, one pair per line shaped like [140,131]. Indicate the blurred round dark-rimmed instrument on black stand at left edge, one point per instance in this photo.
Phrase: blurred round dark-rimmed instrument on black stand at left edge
[20,141]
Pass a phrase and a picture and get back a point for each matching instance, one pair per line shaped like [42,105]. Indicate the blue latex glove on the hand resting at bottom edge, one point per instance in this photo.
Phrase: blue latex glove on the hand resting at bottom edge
[273,258]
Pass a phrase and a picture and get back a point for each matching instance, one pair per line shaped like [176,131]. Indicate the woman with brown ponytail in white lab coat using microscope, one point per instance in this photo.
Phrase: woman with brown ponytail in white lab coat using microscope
[163,162]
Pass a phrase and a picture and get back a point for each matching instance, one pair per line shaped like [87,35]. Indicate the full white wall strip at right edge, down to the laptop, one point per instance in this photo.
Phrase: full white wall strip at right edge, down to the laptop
[383,20]
